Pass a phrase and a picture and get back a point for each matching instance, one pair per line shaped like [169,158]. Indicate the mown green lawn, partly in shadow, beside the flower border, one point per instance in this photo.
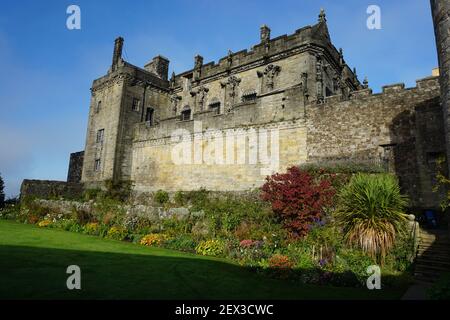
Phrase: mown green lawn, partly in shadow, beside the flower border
[33,264]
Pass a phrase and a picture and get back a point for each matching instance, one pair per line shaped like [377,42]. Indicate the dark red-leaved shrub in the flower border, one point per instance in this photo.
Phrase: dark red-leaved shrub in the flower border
[297,199]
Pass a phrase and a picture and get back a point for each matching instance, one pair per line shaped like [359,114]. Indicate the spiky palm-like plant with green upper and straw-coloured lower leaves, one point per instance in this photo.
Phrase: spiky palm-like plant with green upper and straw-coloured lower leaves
[371,213]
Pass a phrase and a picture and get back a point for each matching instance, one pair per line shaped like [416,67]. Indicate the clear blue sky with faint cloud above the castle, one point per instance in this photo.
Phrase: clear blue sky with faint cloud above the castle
[47,70]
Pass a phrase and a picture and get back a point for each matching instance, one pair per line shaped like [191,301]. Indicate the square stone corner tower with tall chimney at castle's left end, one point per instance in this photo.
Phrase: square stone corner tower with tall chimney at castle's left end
[108,123]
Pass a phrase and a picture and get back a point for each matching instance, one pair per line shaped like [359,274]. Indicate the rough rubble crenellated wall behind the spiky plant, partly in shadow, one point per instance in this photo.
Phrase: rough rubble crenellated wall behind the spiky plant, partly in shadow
[401,126]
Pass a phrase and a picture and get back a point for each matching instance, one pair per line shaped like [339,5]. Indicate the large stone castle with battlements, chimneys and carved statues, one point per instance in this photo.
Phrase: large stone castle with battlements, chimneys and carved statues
[298,85]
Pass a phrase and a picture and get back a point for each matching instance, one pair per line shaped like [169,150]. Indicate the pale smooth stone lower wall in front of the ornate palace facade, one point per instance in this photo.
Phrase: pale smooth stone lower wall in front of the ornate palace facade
[281,113]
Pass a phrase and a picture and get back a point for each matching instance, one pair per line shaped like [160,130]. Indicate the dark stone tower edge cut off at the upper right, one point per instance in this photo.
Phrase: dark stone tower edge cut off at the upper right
[441,17]
